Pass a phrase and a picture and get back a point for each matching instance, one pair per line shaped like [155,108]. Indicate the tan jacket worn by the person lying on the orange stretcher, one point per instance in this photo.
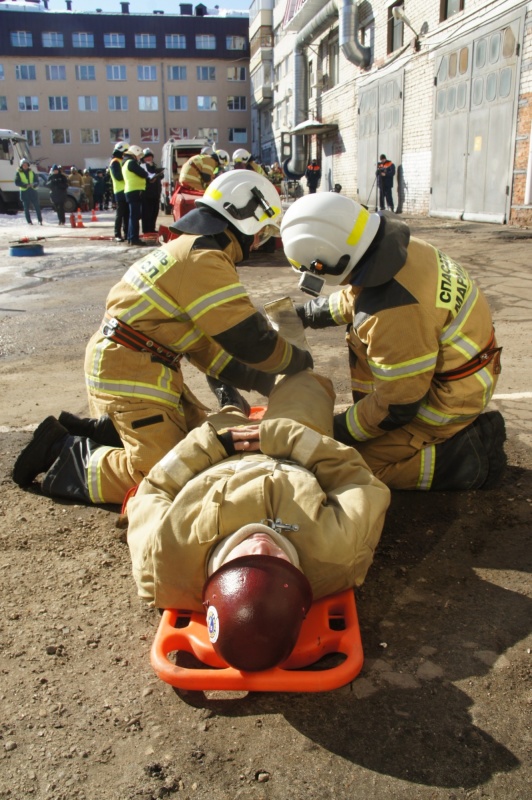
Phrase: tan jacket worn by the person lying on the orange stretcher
[197,496]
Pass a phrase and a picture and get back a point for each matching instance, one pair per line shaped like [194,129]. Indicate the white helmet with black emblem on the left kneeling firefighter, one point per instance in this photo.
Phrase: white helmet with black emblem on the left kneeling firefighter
[248,200]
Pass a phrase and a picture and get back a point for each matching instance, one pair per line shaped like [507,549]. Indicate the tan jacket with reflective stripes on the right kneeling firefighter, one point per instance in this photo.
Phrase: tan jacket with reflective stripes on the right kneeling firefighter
[431,318]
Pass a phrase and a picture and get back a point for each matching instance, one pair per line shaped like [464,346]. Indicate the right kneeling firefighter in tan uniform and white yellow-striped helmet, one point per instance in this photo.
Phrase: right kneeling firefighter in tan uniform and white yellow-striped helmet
[422,350]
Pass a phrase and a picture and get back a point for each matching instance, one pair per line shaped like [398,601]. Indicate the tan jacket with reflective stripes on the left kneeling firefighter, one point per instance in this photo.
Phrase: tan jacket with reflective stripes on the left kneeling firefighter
[183,294]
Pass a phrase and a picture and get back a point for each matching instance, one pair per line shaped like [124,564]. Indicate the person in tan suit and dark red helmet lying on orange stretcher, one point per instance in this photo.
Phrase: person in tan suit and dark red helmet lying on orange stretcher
[304,510]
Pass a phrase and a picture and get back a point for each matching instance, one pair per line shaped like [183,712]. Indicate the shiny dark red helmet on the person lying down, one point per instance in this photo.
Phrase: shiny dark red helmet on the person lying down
[255,607]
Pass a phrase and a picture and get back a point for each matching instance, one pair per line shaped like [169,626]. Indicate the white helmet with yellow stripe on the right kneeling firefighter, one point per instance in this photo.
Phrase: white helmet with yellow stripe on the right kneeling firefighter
[327,234]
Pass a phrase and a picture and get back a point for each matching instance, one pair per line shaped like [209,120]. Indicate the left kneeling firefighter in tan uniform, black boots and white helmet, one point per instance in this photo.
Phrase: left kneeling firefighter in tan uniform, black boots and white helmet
[184,298]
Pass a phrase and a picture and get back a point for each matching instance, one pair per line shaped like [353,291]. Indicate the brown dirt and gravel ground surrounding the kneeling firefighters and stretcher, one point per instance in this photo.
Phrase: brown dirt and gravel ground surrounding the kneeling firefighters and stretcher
[441,709]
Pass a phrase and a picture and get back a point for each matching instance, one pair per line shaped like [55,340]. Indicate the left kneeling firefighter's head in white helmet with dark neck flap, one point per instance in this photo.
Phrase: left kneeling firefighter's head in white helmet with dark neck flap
[245,202]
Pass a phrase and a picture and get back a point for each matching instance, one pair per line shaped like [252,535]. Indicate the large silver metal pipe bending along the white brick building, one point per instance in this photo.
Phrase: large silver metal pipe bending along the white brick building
[353,50]
